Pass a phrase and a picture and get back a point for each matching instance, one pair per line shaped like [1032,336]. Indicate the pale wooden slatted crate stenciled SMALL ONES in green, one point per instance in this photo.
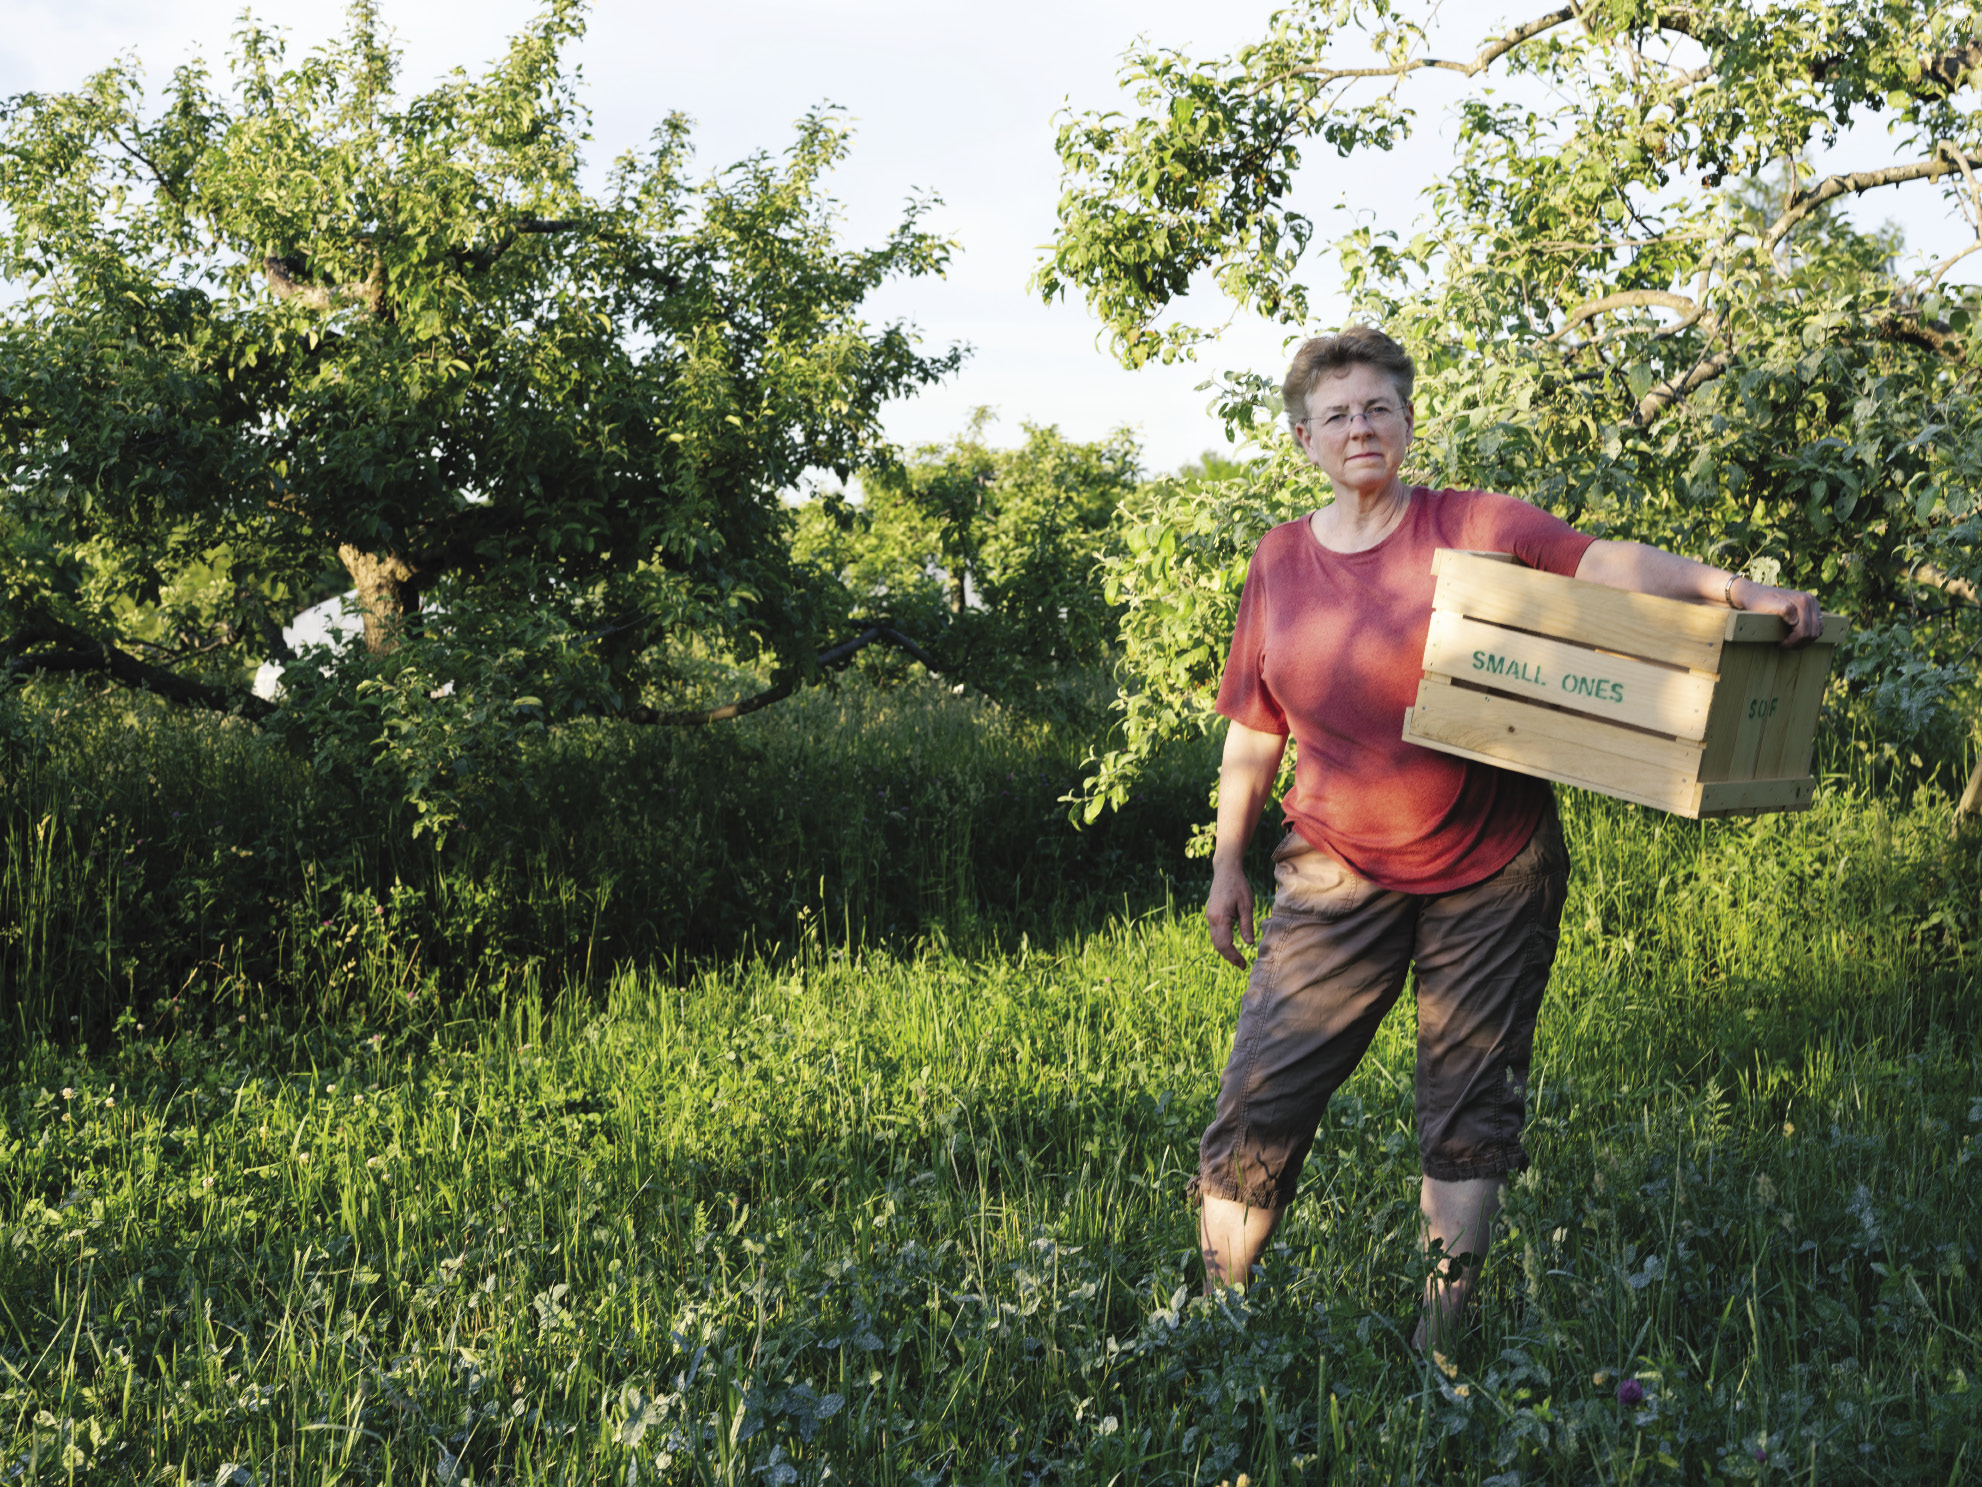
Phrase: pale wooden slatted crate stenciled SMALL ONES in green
[1686,707]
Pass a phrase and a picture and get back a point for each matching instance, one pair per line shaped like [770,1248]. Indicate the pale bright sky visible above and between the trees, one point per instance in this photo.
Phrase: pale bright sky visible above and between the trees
[946,98]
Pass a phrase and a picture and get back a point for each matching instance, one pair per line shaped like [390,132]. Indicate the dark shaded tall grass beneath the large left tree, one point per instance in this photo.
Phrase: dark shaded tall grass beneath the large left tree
[148,854]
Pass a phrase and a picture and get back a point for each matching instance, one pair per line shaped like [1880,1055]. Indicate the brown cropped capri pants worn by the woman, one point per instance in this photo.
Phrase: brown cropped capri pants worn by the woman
[1333,961]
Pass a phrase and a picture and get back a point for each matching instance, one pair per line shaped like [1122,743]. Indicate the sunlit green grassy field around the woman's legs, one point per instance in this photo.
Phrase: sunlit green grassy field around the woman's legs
[917,1216]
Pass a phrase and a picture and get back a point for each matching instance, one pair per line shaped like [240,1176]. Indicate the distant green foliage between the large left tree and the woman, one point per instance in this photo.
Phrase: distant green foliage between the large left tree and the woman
[990,558]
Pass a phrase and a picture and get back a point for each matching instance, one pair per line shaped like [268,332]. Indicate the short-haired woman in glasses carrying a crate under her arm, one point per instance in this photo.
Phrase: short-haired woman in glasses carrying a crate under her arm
[1396,854]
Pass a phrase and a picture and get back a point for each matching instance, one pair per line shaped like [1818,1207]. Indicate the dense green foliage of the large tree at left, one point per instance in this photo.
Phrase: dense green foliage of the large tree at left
[306,324]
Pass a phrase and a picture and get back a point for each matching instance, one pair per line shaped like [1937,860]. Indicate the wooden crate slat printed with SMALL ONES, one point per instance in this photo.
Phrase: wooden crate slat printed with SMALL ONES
[1616,689]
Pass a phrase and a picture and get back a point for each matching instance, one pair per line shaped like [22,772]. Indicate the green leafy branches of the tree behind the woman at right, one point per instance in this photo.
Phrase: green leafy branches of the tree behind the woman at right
[1630,296]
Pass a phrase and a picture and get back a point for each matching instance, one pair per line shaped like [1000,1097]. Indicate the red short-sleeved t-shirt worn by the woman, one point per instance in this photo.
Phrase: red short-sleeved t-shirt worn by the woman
[1331,649]
